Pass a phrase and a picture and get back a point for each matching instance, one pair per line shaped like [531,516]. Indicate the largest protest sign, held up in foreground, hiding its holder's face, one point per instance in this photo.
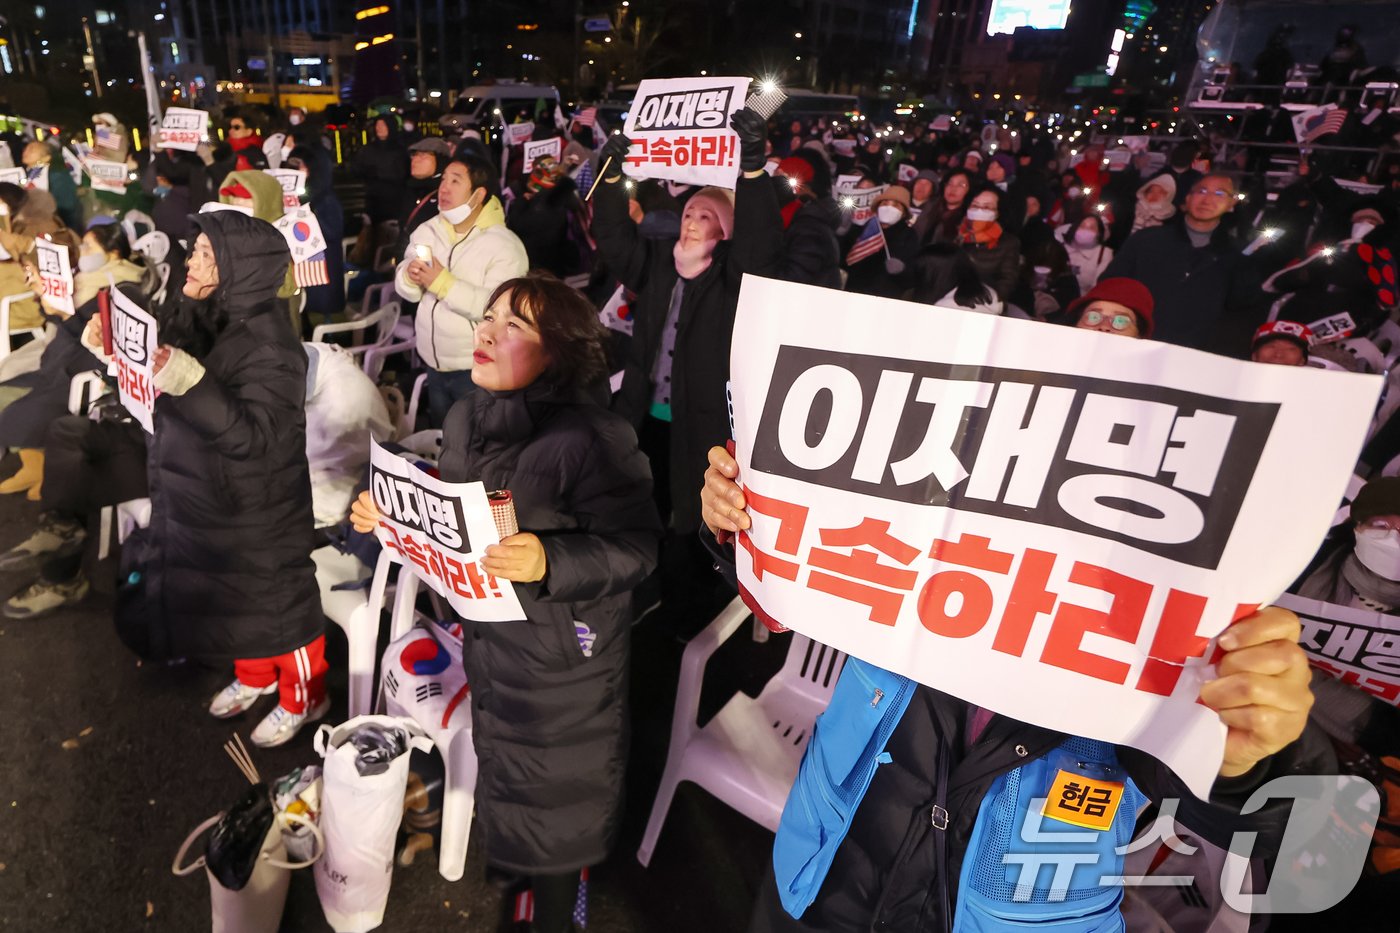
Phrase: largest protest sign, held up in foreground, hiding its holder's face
[1045,522]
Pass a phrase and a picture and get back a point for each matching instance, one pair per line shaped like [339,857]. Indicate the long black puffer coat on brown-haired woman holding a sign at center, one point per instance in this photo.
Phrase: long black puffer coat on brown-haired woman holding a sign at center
[551,724]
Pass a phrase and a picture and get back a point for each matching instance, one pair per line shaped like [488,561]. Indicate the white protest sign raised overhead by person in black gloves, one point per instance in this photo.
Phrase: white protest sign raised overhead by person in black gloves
[680,131]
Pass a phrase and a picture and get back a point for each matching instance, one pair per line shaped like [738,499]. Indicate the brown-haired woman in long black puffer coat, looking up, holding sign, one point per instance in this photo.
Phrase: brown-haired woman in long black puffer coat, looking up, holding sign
[549,694]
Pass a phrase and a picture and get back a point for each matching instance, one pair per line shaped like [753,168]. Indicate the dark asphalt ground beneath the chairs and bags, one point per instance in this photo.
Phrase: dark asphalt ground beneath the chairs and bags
[107,764]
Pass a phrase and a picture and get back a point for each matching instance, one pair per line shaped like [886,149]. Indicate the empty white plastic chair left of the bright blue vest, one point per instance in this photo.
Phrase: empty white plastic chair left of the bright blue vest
[750,753]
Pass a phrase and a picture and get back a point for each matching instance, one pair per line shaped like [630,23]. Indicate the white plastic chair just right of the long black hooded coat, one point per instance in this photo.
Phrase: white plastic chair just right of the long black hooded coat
[356,613]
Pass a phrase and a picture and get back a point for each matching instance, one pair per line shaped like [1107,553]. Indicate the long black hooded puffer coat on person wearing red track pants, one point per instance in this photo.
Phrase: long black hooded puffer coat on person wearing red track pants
[230,575]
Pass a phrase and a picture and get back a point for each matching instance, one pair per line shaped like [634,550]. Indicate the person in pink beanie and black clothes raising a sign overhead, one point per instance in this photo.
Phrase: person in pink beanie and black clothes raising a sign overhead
[678,365]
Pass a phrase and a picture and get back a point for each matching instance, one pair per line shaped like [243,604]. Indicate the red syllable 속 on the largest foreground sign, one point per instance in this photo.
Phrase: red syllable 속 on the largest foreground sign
[864,565]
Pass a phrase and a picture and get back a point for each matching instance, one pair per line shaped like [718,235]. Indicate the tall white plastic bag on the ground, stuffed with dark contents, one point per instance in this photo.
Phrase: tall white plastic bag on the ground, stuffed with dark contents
[360,819]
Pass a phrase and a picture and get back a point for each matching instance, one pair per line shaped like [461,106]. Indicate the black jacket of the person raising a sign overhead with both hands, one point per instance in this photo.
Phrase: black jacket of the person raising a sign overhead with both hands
[701,371]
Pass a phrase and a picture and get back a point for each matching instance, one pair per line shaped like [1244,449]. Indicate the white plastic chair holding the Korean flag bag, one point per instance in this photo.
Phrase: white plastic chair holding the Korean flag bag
[453,743]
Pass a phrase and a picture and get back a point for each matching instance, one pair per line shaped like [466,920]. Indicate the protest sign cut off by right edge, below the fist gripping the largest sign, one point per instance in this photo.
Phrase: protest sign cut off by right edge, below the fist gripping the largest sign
[1357,647]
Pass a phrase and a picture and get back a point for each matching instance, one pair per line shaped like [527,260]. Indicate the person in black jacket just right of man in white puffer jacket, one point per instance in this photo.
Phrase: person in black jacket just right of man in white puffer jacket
[548,216]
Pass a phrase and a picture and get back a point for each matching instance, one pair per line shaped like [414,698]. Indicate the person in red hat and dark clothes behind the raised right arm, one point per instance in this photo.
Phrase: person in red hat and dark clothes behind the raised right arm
[811,251]
